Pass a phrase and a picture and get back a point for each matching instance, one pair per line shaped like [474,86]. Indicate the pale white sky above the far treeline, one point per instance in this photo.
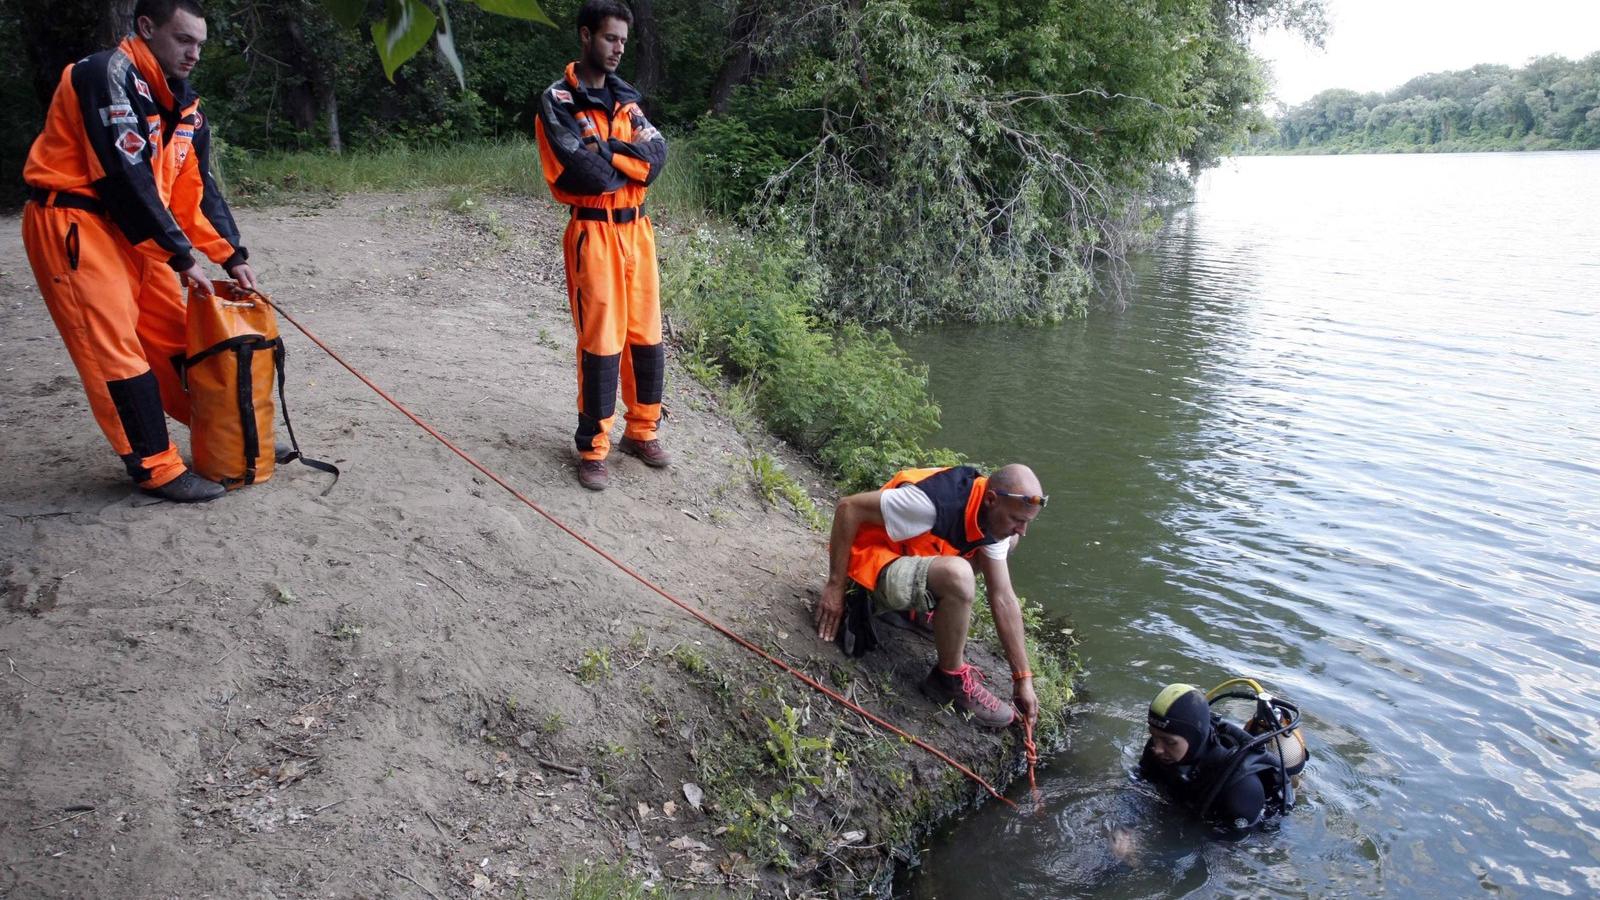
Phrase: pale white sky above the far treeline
[1375,46]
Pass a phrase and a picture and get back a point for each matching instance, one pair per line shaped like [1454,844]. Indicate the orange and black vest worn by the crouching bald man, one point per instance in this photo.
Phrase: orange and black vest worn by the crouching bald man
[958,494]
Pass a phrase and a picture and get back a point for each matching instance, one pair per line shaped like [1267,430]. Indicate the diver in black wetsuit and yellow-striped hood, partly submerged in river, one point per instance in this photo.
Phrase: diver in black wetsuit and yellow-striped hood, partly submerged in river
[1233,777]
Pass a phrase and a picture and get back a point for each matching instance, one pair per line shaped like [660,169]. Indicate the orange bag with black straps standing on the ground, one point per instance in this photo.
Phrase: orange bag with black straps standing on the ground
[234,358]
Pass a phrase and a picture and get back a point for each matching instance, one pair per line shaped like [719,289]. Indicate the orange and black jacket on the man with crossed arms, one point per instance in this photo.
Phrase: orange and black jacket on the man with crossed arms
[593,156]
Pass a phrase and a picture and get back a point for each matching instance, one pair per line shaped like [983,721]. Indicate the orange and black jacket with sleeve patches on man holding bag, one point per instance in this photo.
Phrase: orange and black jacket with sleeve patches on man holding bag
[119,134]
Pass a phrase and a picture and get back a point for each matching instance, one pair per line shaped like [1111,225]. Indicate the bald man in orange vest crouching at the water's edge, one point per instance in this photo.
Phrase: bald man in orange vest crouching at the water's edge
[916,548]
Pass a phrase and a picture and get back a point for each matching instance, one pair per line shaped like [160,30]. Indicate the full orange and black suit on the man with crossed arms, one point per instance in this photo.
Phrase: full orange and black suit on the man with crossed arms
[599,156]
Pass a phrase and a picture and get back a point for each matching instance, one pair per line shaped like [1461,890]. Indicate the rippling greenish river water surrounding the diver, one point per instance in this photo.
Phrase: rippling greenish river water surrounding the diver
[1345,438]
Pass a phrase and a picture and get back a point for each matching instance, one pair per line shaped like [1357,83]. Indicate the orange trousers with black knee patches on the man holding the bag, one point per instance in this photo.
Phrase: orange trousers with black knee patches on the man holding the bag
[122,316]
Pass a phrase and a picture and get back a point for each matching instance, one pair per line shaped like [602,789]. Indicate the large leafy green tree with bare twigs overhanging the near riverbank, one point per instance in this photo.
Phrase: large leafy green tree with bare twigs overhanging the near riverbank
[1018,143]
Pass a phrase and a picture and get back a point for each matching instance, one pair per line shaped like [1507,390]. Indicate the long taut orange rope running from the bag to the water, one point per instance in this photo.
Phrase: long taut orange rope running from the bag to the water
[705,619]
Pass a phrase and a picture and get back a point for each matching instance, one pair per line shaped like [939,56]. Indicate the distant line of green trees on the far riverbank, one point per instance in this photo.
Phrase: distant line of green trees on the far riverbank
[1550,105]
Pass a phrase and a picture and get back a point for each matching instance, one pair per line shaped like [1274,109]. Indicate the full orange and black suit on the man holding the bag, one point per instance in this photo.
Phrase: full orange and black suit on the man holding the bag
[122,198]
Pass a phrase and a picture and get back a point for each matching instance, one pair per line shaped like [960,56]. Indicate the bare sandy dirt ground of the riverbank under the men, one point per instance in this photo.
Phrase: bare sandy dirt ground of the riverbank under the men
[412,686]
